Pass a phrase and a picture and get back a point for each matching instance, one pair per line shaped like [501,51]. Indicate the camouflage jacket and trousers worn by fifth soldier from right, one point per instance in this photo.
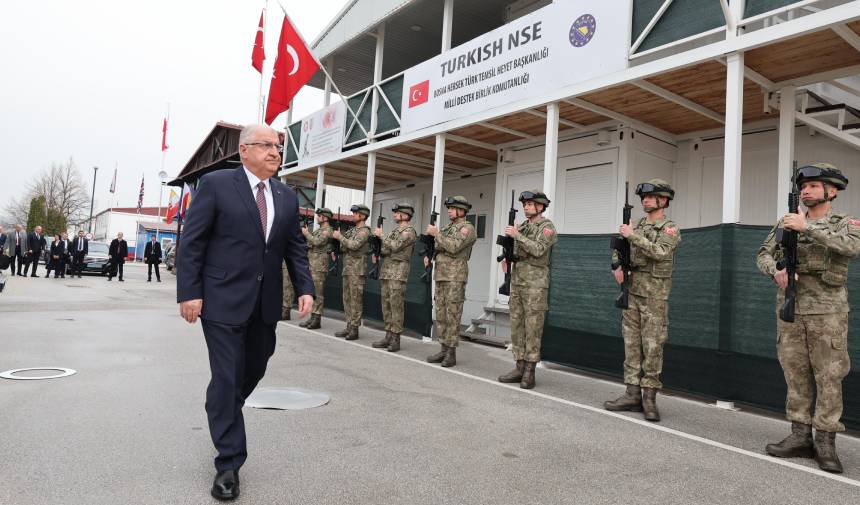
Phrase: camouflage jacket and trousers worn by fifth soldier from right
[397,249]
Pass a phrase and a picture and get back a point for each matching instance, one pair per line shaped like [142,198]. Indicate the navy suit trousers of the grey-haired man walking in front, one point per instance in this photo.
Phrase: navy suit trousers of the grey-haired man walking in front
[238,355]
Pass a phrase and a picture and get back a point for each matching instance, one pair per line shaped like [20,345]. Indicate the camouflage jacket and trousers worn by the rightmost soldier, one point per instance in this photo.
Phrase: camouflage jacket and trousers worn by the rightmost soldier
[813,350]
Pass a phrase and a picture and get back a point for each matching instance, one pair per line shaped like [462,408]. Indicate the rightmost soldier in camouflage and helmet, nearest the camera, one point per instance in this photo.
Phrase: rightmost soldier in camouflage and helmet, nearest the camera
[813,350]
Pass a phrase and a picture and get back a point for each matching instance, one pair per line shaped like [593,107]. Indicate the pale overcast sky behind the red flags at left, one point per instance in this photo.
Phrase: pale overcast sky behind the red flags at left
[91,80]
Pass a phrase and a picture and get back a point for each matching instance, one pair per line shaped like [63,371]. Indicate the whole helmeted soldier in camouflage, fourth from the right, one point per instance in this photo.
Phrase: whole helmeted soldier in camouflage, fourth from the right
[453,249]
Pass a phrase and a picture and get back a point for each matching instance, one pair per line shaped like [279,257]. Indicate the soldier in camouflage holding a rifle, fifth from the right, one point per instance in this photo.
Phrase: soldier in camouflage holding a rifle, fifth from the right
[397,249]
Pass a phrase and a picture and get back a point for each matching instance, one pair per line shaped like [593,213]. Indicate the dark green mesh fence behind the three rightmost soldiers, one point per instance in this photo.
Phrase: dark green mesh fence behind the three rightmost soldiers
[722,320]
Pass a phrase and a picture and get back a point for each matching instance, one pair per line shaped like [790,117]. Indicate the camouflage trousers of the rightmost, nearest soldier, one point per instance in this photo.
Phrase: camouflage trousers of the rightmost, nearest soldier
[813,352]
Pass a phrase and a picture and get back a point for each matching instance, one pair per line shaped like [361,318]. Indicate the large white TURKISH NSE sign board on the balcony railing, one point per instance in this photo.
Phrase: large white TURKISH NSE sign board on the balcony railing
[559,45]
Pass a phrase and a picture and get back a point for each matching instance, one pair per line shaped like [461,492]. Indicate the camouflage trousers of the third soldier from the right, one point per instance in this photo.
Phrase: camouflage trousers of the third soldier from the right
[528,310]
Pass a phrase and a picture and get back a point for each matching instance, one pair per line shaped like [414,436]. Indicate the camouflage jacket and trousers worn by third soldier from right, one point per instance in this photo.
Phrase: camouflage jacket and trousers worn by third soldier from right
[529,286]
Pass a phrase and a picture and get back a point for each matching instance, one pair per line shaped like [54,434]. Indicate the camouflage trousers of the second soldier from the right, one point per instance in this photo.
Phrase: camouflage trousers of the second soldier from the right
[645,331]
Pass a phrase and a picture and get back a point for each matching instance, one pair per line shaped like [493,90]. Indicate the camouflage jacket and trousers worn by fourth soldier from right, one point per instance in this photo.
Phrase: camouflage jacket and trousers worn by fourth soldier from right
[453,249]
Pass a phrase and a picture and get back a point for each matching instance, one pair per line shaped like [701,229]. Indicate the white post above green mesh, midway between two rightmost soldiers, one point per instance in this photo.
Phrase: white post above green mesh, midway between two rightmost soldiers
[733,138]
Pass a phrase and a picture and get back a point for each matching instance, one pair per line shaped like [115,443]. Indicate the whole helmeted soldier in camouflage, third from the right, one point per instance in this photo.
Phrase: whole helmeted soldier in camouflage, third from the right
[533,241]
